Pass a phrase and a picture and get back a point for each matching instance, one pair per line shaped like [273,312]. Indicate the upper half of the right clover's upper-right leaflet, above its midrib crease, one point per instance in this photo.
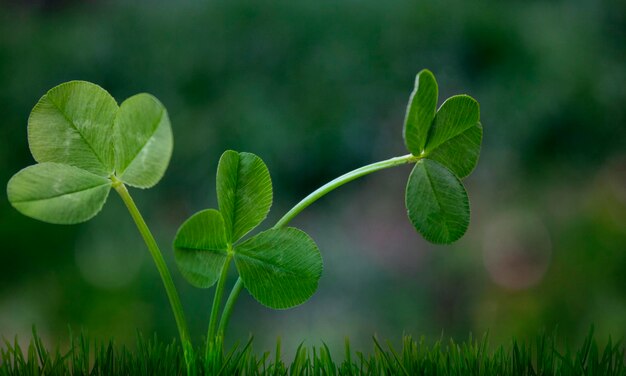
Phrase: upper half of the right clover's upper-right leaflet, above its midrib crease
[456,115]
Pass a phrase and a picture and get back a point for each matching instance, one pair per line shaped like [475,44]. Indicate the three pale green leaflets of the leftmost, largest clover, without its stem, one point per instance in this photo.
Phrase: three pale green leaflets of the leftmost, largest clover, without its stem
[84,143]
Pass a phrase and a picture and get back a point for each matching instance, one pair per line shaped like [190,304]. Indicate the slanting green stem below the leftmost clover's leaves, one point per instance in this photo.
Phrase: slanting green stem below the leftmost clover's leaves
[172,293]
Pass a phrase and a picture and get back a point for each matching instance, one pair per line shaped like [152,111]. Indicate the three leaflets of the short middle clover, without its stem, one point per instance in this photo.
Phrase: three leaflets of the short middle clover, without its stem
[280,267]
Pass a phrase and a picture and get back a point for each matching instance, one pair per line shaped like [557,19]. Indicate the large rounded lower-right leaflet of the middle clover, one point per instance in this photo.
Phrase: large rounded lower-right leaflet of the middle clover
[280,267]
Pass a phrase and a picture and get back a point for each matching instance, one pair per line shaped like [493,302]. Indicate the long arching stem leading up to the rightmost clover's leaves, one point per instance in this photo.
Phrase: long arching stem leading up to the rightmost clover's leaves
[308,200]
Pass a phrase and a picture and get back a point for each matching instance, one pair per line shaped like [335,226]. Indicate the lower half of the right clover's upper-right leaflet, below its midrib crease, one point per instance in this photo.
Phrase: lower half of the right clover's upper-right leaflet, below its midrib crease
[460,153]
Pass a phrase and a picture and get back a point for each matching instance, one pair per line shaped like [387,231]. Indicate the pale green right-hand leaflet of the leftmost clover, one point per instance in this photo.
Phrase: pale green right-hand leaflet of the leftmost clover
[143,141]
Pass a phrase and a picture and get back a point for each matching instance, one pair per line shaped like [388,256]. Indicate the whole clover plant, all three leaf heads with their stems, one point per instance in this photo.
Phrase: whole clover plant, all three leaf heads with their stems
[84,144]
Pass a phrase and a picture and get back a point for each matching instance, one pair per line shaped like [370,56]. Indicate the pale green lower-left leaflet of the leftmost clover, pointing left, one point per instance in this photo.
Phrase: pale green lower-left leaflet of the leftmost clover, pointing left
[58,193]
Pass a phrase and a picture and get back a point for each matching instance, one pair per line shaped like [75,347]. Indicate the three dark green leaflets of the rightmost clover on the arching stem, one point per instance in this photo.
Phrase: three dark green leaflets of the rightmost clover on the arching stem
[447,141]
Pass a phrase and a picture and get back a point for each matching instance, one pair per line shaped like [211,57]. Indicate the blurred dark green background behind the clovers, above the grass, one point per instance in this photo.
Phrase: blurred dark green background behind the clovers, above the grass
[317,89]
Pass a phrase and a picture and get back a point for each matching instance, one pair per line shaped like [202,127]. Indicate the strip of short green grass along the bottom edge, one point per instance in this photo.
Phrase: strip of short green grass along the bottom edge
[472,357]
